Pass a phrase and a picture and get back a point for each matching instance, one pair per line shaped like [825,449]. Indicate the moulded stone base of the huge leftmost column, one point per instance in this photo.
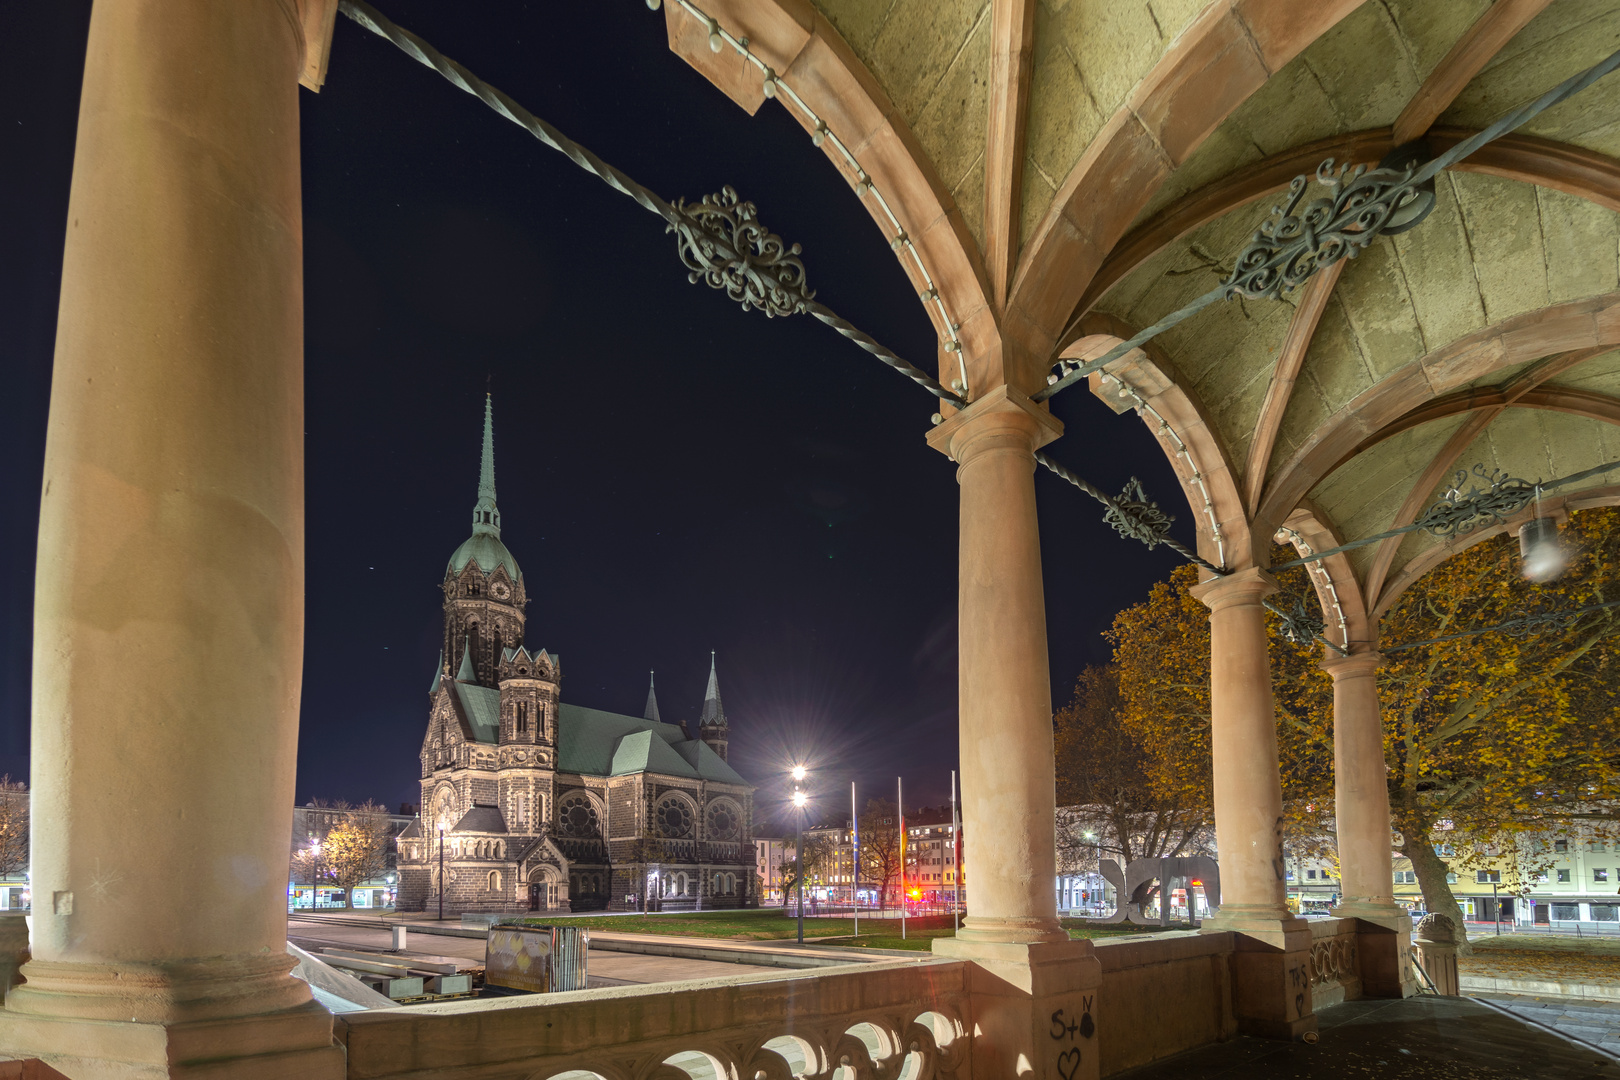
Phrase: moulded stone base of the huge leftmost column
[245,1021]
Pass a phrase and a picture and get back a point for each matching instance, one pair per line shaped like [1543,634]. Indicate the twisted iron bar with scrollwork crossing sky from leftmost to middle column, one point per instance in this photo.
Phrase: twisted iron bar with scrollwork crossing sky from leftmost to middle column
[772,286]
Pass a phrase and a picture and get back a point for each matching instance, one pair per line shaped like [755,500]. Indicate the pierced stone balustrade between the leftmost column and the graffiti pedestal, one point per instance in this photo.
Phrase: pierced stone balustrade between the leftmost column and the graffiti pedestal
[863,1023]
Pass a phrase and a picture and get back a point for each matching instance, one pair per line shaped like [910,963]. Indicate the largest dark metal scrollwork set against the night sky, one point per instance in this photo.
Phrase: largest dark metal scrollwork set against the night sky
[723,244]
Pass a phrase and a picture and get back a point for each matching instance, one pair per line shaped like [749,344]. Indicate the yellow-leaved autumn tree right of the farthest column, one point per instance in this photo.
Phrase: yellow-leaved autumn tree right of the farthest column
[1501,741]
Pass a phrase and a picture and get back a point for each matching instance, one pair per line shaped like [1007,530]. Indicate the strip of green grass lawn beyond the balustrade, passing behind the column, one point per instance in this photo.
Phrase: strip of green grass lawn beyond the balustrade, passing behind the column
[772,925]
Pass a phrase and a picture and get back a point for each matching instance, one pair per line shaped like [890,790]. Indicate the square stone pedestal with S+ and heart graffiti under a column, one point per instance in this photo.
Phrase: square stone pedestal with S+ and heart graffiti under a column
[1034,1008]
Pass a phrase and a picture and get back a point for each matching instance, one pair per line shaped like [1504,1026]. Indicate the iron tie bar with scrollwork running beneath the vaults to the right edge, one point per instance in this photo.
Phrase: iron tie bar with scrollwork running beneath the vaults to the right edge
[1363,208]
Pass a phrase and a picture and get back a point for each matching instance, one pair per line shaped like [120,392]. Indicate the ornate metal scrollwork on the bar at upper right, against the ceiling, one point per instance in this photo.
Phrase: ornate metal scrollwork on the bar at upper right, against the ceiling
[1362,206]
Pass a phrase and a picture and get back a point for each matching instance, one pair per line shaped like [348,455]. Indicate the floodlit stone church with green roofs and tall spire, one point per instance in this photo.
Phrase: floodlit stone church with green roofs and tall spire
[535,804]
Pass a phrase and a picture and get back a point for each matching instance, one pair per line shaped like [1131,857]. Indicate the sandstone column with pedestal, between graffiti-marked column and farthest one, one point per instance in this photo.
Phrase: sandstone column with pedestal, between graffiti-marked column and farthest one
[1271,959]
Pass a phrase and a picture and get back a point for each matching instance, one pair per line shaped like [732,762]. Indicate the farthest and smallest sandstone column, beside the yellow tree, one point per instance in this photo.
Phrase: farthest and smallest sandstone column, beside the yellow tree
[1362,796]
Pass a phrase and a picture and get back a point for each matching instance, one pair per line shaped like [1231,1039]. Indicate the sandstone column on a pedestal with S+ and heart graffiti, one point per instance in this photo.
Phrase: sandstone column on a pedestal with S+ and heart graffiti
[1034,990]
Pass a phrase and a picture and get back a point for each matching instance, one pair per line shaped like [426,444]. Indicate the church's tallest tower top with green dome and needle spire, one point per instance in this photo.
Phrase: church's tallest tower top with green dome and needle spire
[484,587]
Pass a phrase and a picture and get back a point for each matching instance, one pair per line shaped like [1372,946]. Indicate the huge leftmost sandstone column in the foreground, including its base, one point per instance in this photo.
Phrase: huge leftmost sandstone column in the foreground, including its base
[169,592]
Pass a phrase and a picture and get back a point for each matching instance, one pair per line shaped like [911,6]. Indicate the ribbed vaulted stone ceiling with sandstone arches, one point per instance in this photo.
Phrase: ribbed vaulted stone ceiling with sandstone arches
[1068,172]
